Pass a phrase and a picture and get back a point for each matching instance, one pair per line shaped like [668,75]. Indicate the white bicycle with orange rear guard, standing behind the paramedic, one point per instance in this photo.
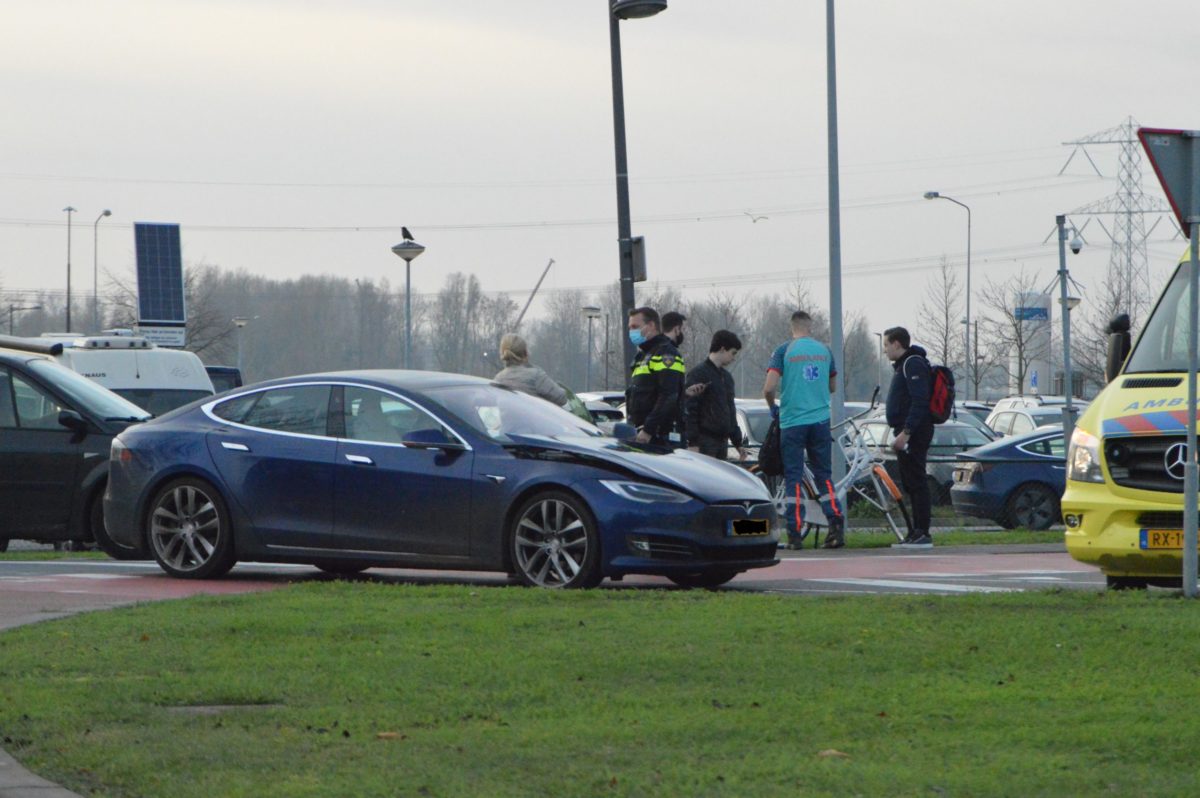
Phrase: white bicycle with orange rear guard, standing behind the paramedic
[866,481]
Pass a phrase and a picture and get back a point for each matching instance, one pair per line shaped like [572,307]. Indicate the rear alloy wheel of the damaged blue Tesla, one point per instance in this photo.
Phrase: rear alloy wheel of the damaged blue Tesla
[190,532]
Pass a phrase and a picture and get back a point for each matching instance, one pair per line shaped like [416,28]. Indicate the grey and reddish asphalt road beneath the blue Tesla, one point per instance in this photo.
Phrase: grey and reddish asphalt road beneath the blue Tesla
[43,590]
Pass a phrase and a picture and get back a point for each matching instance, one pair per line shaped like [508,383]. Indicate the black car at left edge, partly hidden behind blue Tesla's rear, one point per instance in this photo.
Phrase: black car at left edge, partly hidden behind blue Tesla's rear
[56,430]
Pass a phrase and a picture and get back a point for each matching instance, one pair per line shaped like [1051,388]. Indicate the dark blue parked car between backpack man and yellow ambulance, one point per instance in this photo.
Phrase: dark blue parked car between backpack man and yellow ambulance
[1016,482]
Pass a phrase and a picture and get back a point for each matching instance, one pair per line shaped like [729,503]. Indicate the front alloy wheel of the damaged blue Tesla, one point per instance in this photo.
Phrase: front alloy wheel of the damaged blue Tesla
[555,543]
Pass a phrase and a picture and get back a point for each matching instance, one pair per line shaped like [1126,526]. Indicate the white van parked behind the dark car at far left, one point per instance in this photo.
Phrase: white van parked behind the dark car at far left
[153,379]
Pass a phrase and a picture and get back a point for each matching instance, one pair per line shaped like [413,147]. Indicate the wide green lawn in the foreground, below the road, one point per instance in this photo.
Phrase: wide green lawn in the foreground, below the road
[364,689]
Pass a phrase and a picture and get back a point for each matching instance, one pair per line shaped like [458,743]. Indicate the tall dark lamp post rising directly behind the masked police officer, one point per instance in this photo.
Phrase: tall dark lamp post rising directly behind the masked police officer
[621,10]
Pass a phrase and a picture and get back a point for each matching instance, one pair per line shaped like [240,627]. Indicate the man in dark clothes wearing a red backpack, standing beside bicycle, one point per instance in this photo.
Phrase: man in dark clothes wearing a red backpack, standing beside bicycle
[911,422]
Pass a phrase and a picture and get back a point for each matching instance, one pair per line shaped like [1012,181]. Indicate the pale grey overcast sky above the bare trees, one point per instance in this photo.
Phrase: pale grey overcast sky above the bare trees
[296,137]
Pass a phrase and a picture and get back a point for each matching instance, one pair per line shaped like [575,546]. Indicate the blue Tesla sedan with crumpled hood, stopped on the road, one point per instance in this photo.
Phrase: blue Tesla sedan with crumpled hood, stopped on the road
[418,470]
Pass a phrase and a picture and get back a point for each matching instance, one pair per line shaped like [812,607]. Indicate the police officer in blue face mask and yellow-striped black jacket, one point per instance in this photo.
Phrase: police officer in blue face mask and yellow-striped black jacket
[657,381]
